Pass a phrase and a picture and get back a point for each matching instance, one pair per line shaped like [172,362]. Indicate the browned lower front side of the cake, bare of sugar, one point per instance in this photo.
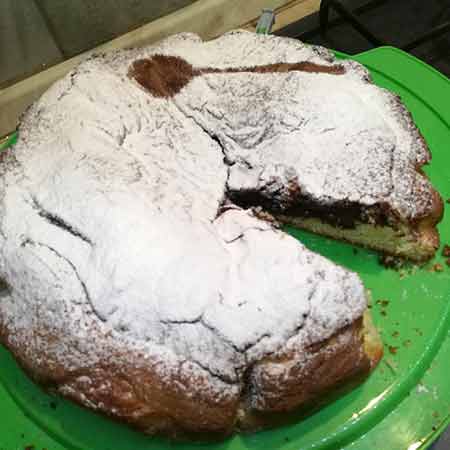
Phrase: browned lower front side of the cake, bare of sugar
[277,390]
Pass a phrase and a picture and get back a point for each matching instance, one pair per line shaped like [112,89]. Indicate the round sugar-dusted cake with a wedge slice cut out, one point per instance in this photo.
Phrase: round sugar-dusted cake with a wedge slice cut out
[145,274]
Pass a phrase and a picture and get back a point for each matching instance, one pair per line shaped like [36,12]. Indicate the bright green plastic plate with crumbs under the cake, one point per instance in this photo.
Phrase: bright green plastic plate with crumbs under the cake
[406,401]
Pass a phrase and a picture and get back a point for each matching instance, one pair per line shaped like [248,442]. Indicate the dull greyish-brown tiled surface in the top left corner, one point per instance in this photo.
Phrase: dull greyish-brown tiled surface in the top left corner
[37,33]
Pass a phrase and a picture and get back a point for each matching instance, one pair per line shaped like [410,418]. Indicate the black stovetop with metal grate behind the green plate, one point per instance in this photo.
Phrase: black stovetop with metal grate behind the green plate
[393,22]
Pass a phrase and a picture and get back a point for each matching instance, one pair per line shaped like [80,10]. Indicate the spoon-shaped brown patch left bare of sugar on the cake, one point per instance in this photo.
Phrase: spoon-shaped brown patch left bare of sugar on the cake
[165,76]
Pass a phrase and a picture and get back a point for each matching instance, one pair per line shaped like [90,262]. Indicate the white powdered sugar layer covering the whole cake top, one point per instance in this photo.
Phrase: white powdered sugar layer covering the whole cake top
[112,231]
